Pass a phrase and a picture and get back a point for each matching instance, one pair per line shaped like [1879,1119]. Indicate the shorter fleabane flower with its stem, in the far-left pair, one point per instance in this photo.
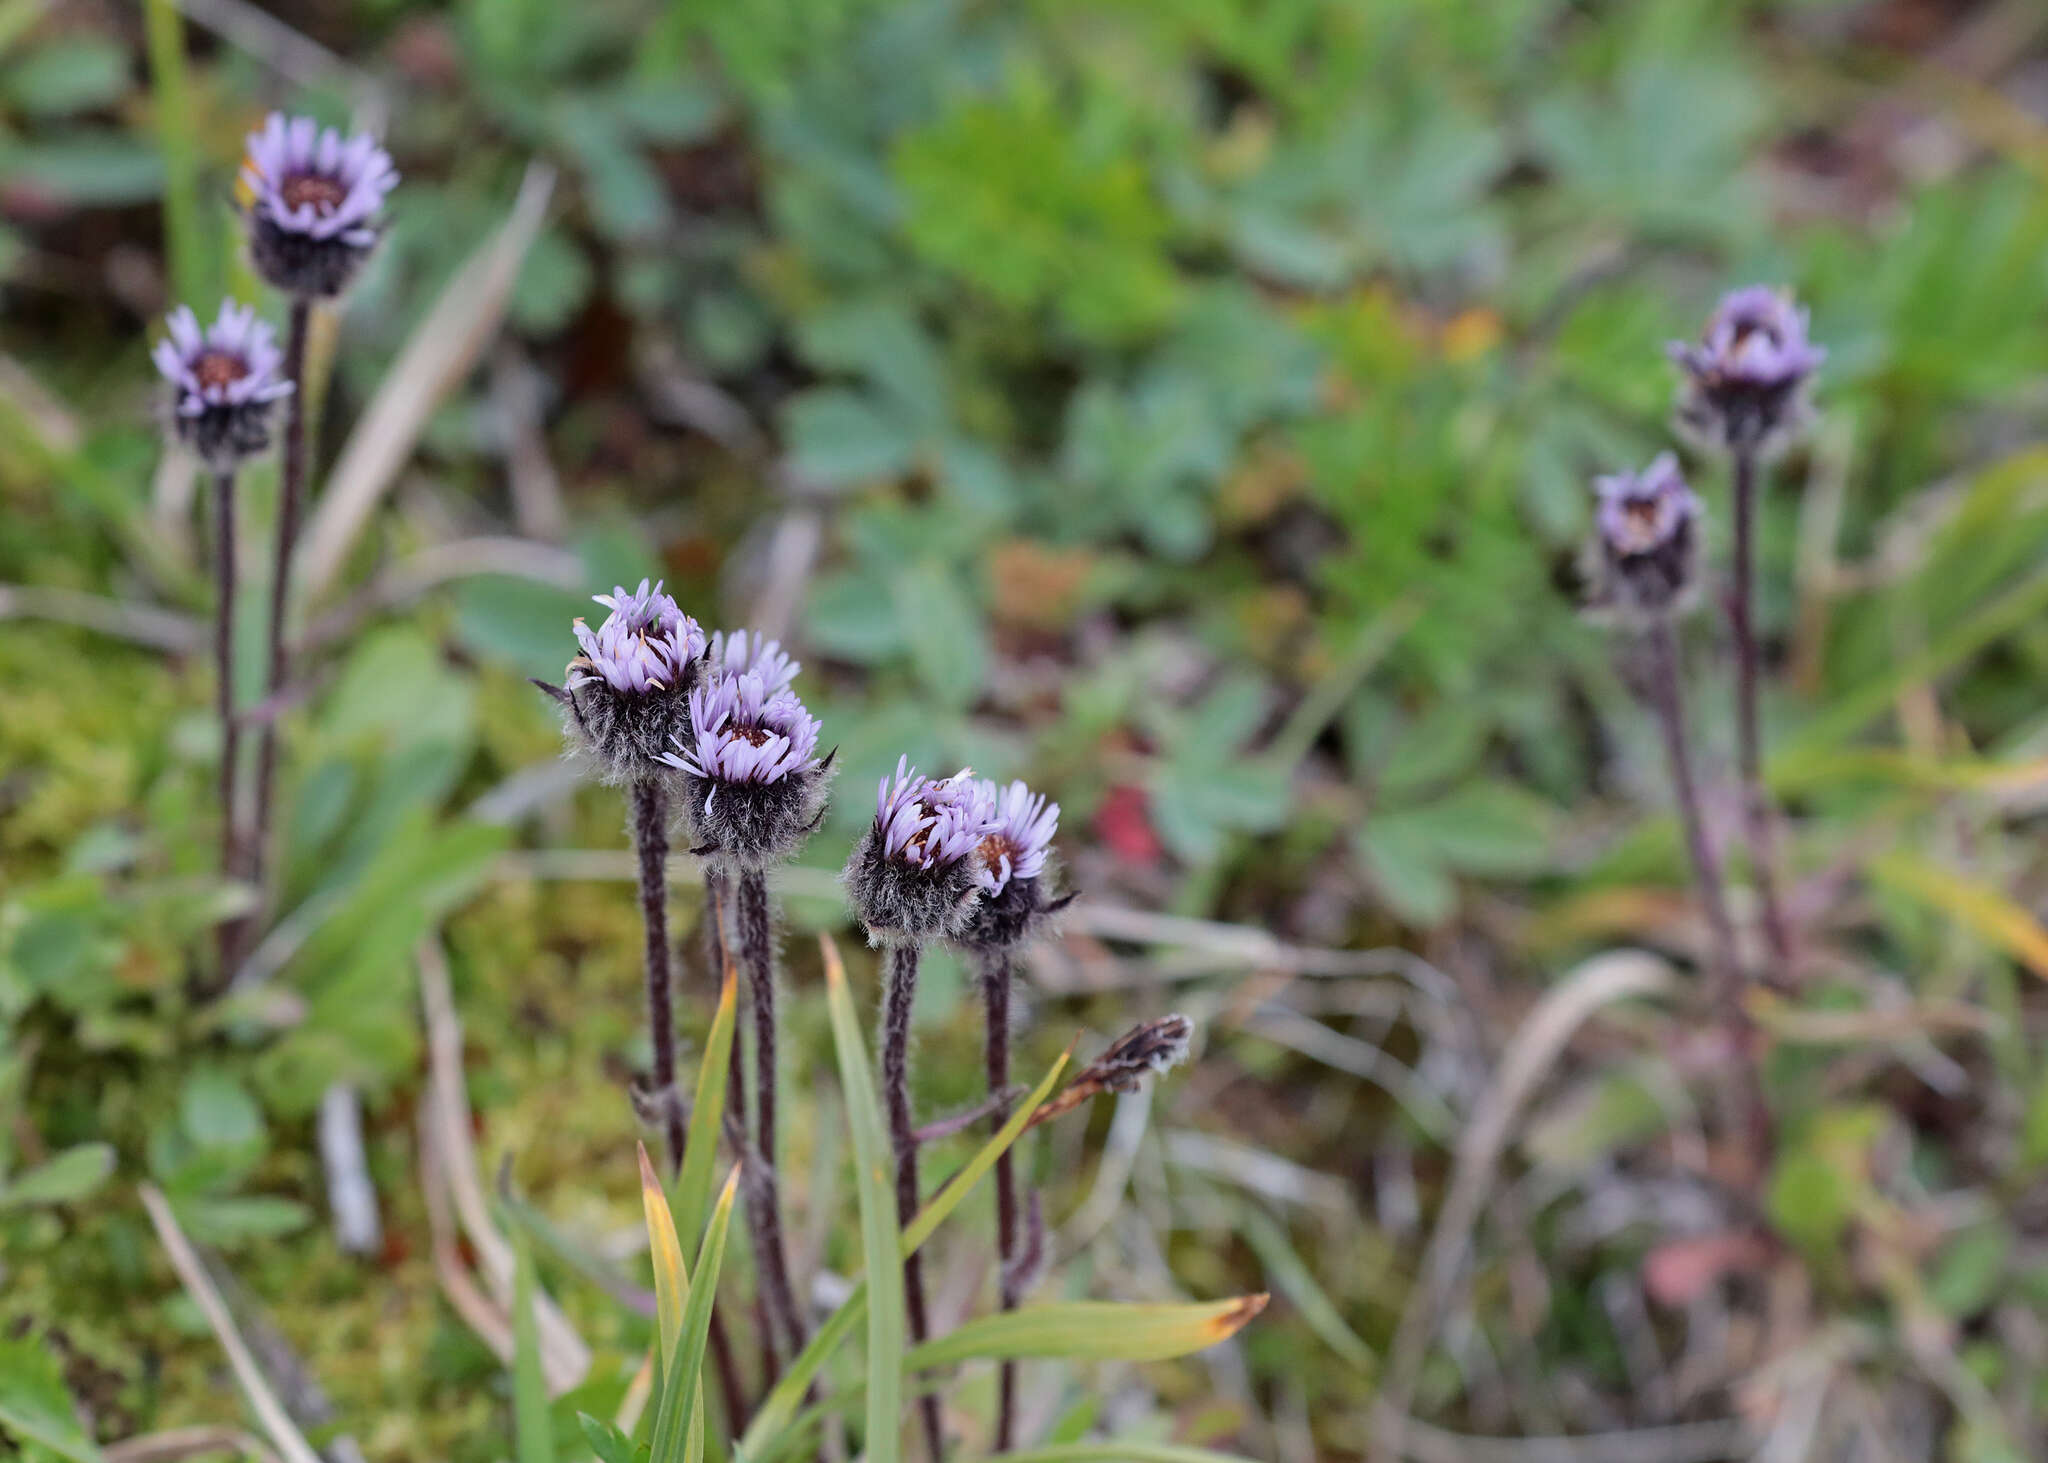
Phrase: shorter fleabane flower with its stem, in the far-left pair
[226,384]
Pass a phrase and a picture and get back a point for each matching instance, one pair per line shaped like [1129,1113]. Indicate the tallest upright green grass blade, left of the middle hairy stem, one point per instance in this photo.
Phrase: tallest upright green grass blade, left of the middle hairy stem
[880,1243]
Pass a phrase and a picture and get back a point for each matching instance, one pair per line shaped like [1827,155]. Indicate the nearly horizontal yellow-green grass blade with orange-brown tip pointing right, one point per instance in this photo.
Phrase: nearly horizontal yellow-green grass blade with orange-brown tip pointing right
[1091,1331]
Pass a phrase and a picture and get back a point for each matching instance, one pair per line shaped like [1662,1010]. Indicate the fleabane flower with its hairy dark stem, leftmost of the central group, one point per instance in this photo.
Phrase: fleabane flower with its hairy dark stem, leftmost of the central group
[626,702]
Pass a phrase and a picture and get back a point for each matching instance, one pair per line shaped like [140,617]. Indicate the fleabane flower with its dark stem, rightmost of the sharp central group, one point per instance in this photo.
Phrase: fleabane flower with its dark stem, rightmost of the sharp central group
[1011,870]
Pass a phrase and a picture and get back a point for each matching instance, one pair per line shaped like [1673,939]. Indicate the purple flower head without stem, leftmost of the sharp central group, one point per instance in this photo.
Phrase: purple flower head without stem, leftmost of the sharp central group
[628,692]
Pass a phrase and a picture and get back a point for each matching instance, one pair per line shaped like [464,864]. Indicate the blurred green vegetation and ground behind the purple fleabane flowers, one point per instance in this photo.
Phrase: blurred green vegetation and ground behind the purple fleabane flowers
[1189,407]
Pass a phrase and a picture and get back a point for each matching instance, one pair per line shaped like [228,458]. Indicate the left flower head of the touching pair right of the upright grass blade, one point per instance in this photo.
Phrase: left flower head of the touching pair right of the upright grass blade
[914,874]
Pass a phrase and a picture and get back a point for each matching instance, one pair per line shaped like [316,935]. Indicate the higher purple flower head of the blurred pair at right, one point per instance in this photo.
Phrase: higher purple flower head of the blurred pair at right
[1746,378]
